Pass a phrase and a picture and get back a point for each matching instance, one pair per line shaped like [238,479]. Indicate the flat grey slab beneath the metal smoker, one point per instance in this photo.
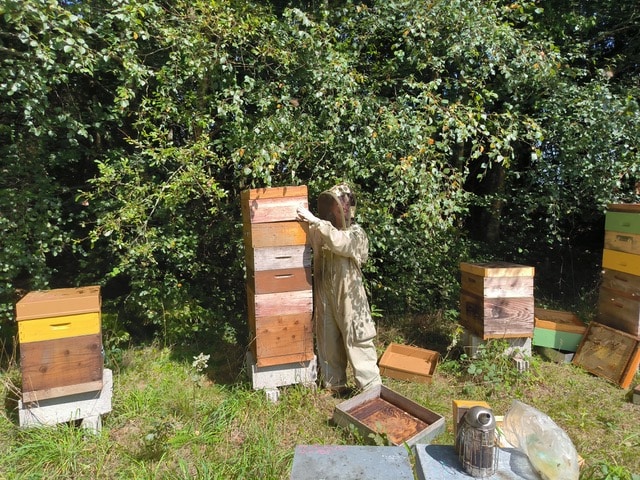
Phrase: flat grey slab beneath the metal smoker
[440,462]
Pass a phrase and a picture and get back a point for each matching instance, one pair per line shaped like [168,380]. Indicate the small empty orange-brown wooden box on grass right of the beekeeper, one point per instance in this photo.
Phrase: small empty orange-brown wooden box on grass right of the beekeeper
[405,362]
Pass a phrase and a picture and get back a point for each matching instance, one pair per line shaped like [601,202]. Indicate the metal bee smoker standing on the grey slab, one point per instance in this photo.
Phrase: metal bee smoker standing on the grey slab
[476,442]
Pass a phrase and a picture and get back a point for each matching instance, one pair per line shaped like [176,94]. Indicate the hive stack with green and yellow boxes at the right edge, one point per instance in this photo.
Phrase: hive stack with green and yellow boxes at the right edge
[619,299]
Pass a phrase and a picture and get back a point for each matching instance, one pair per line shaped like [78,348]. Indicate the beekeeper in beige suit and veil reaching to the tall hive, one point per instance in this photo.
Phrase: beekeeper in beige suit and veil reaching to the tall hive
[344,326]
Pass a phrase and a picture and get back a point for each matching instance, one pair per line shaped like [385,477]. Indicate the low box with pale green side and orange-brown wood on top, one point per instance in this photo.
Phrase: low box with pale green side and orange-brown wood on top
[557,329]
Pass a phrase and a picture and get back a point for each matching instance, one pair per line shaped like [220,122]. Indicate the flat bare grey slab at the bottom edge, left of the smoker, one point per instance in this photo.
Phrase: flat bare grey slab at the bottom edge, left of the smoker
[339,462]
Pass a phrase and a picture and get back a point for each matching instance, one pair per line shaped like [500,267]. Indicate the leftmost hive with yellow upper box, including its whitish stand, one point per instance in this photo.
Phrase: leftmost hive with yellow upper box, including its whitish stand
[61,358]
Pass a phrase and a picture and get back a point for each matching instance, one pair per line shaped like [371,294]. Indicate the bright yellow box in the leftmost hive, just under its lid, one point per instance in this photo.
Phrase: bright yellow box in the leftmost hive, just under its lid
[53,328]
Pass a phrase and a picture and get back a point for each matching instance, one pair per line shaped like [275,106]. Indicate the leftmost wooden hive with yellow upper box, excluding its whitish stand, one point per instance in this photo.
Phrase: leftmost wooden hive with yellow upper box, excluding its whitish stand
[60,336]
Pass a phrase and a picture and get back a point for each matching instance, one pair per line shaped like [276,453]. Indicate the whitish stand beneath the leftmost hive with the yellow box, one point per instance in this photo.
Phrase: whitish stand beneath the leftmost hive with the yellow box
[87,407]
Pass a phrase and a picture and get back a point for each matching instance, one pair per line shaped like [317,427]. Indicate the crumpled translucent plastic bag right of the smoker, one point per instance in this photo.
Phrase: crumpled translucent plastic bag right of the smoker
[548,447]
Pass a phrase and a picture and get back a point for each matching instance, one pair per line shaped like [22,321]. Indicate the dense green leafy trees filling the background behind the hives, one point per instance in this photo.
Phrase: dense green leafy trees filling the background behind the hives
[128,131]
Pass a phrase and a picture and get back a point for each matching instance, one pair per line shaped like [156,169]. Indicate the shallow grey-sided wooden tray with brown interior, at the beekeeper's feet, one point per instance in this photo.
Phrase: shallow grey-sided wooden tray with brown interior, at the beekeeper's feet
[381,411]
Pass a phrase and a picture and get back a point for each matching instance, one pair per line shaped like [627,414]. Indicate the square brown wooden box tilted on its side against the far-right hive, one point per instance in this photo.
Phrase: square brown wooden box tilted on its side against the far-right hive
[609,353]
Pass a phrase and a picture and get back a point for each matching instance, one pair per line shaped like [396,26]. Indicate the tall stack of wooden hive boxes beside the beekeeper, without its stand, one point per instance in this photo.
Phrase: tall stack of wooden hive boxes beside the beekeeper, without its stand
[278,261]
